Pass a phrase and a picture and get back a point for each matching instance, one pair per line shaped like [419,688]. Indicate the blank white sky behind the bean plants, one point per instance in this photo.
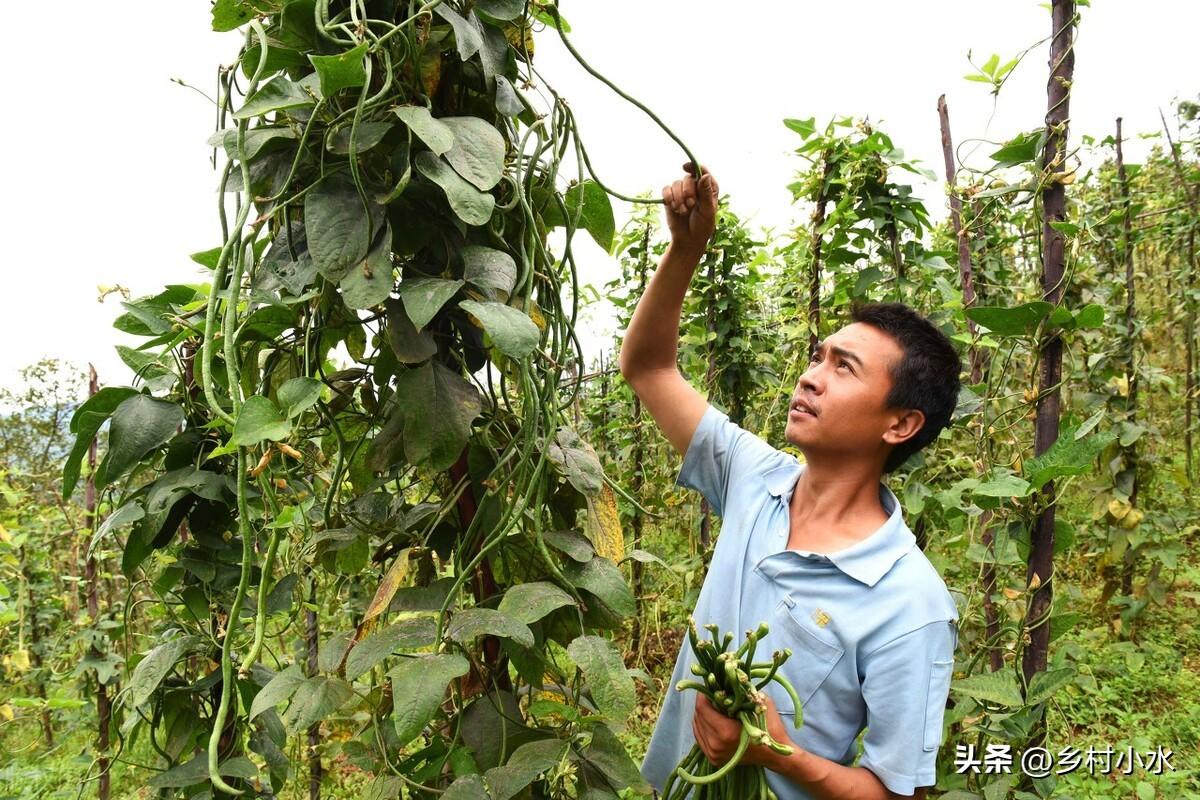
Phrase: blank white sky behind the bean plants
[113,185]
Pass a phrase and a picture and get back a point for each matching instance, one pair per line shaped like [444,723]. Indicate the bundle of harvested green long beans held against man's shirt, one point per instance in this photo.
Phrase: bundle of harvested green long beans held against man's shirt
[734,683]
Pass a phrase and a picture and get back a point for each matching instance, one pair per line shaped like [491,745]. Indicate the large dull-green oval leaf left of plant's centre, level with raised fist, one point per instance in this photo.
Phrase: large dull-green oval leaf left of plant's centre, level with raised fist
[339,228]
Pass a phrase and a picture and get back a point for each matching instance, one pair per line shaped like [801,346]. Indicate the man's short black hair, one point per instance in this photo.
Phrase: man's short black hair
[927,376]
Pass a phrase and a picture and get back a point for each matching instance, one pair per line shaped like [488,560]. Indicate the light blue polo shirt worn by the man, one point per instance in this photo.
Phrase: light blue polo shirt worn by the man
[872,628]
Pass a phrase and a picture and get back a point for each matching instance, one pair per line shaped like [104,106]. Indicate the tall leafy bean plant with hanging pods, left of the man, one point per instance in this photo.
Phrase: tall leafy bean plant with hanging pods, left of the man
[361,419]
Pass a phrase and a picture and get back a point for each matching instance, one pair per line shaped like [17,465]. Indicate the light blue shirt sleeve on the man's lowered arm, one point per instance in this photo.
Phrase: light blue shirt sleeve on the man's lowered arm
[905,684]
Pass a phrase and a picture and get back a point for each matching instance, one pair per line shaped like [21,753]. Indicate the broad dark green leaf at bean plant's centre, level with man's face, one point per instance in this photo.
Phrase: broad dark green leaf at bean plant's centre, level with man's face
[439,408]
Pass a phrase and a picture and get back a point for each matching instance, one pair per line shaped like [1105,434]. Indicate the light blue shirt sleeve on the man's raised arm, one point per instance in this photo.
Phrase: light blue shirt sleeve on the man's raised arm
[722,452]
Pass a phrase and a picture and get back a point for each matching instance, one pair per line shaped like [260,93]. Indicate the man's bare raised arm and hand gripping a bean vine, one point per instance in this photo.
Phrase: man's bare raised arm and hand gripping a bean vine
[650,351]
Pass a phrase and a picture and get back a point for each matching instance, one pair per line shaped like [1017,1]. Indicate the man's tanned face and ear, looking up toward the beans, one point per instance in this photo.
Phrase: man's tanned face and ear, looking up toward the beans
[838,407]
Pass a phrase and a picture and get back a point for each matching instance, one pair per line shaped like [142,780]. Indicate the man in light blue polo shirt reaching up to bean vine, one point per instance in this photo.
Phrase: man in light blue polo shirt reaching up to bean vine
[819,551]
